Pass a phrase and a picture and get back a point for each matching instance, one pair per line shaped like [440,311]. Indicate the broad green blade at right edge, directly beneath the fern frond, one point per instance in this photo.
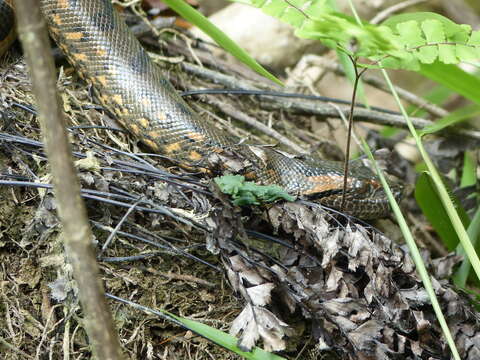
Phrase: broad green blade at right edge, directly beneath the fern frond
[453,78]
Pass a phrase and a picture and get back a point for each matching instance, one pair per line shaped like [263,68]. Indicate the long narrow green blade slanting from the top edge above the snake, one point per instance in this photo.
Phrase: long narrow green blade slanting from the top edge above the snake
[196,18]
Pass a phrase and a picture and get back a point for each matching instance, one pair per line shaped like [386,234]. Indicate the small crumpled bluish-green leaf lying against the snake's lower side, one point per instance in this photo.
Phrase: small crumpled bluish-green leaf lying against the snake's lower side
[248,193]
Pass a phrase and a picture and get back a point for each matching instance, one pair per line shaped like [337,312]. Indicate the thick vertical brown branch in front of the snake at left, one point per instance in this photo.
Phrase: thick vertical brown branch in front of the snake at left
[76,230]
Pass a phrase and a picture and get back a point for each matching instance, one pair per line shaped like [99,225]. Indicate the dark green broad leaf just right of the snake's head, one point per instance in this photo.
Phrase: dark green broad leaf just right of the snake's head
[432,207]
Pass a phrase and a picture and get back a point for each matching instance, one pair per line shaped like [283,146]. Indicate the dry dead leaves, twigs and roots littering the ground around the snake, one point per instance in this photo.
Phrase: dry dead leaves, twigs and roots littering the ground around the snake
[299,278]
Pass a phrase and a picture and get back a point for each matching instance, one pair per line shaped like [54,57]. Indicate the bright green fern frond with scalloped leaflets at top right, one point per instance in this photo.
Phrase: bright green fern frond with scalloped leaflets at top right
[404,41]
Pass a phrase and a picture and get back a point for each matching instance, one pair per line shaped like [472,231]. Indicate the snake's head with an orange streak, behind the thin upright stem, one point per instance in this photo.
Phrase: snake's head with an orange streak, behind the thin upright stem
[323,181]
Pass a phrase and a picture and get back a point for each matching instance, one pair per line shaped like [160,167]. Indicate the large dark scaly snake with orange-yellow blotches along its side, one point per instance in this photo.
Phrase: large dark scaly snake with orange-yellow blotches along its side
[99,45]
